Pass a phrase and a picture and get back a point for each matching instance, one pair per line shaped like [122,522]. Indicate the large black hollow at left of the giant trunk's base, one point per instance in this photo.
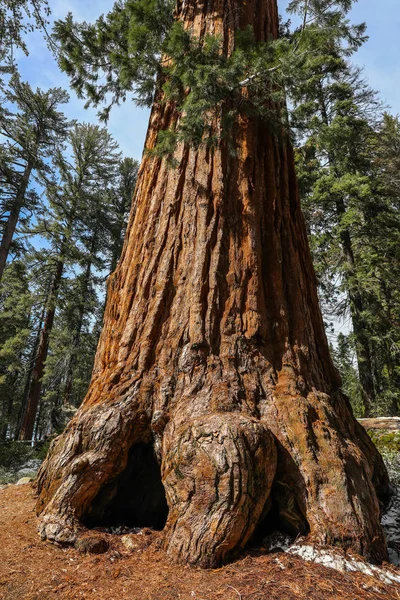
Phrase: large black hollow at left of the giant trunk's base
[136,498]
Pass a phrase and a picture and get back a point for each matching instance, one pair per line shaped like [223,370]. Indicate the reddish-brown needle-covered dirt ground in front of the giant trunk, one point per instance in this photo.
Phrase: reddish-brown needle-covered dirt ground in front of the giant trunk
[34,570]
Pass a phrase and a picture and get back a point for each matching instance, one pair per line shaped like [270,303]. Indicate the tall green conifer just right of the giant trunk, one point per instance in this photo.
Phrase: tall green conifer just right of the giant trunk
[350,220]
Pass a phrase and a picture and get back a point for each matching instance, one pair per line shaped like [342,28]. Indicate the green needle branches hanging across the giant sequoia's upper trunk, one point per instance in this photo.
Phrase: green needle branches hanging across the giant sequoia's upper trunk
[138,49]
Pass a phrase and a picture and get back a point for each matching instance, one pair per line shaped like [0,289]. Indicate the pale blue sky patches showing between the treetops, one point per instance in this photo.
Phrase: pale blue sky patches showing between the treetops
[128,124]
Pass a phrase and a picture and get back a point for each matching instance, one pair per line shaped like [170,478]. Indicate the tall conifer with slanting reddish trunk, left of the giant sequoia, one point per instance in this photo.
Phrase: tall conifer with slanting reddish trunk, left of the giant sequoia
[72,200]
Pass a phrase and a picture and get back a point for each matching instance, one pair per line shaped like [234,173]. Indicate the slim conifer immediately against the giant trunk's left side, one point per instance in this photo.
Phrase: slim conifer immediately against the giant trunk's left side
[101,234]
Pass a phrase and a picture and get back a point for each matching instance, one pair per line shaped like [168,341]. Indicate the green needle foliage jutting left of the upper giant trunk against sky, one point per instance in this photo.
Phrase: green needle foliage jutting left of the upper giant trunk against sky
[120,53]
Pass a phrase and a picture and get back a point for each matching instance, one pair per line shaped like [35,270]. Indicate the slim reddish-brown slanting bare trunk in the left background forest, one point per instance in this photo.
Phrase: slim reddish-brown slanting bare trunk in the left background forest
[35,388]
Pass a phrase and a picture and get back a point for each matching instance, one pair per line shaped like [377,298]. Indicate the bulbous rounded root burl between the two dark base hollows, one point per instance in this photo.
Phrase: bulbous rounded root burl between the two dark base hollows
[234,455]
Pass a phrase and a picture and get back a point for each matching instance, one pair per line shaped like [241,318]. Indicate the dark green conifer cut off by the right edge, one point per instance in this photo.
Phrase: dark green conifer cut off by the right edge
[379,262]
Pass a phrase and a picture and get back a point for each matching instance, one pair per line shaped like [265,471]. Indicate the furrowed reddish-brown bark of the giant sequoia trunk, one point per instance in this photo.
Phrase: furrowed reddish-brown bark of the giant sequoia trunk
[213,355]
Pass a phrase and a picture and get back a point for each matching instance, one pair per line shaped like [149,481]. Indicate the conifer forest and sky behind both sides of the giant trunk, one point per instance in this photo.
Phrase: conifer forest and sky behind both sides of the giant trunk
[74,179]
